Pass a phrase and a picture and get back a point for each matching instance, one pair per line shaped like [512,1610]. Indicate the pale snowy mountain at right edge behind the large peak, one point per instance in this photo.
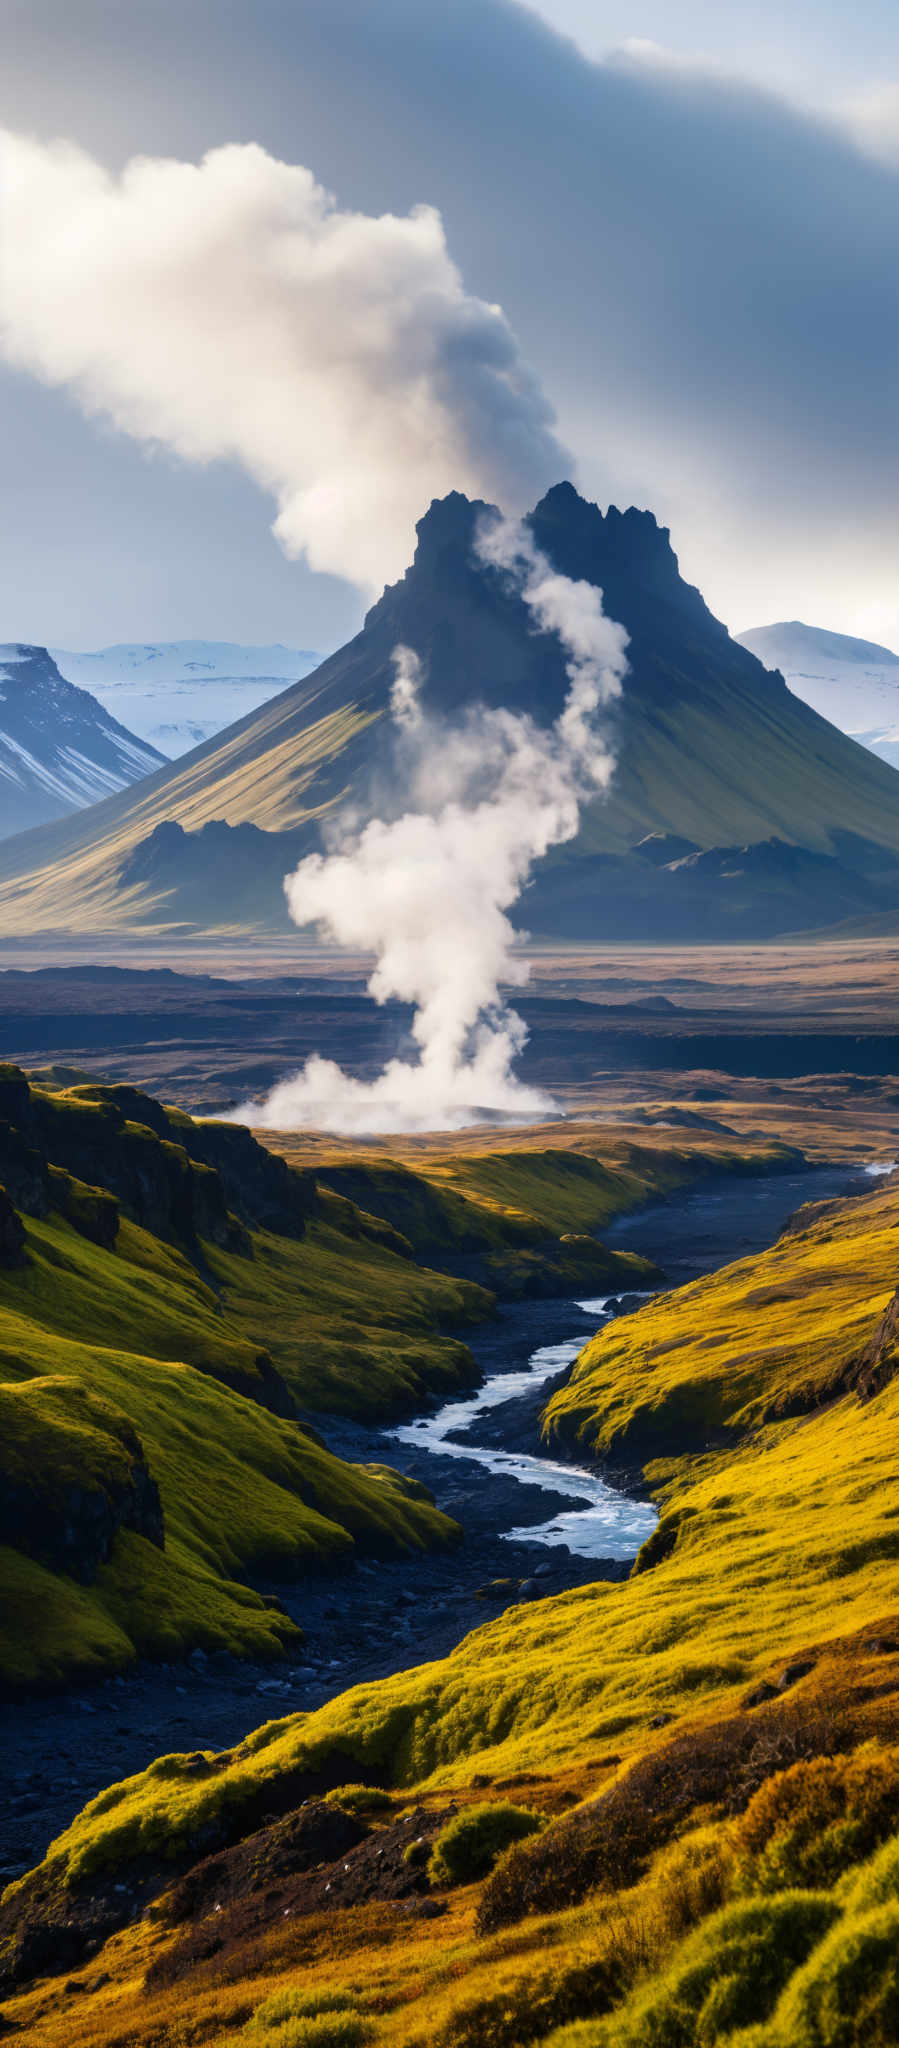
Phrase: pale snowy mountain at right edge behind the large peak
[851,683]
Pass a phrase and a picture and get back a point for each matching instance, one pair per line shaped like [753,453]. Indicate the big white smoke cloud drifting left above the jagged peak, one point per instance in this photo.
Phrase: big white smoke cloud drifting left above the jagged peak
[230,310]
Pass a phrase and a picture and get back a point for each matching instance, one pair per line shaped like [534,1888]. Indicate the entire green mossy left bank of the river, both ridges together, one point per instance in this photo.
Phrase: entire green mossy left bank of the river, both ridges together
[151,1449]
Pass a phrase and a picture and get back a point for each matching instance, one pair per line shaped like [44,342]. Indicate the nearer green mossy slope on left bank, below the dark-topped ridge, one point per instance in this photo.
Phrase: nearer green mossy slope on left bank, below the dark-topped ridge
[241,1488]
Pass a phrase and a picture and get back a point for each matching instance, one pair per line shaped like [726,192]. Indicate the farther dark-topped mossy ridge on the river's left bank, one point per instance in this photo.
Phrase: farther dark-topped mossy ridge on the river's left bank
[273,1279]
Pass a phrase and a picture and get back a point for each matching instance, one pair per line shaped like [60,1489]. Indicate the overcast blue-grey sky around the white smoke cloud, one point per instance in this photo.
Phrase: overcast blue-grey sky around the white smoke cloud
[689,216]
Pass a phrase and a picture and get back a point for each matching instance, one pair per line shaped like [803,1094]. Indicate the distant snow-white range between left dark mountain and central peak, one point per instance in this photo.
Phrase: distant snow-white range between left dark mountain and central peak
[179,693]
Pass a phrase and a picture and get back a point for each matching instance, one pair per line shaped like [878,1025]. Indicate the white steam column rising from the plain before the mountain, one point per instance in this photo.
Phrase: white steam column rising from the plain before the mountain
[431,890]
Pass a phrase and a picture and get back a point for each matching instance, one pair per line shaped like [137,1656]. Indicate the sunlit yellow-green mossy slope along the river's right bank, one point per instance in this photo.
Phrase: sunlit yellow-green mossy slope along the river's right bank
[785,1539]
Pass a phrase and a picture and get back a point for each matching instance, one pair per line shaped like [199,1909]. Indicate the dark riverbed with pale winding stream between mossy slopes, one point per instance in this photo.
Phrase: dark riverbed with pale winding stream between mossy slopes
[531,1525]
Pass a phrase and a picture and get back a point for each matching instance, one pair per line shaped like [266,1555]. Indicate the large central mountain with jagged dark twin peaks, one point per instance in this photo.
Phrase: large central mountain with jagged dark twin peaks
[716,759]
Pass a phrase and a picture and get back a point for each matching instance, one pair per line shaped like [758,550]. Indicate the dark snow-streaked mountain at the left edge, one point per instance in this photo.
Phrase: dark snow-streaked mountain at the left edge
[60,751]
